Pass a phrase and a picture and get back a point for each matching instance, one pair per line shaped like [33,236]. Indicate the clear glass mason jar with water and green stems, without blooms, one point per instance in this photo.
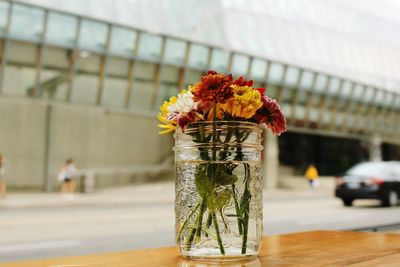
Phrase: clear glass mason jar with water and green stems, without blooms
[218,186]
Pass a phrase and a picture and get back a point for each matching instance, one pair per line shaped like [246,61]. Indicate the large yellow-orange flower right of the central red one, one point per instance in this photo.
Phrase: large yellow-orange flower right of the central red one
[244,103]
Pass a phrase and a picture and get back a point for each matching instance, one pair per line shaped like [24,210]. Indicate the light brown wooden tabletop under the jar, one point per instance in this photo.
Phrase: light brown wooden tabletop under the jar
[317,248]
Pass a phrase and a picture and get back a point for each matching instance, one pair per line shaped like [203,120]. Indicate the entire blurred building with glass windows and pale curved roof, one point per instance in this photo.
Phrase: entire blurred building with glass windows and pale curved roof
[84,79]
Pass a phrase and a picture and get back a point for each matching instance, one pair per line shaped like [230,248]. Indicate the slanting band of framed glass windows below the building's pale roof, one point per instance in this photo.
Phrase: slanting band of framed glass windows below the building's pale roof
[69,58]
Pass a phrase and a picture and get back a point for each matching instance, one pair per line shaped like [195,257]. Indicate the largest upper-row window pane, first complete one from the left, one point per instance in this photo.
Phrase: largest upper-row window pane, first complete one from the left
[26,22]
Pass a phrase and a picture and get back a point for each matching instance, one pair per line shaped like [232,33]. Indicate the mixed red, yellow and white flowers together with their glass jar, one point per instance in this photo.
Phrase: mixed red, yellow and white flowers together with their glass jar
[218,147]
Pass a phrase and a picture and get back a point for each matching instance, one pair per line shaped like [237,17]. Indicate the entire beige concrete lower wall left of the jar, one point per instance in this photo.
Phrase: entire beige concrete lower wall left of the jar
[94,137]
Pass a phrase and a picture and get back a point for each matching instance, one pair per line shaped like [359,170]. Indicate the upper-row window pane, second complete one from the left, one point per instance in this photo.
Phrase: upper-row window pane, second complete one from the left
[61,29]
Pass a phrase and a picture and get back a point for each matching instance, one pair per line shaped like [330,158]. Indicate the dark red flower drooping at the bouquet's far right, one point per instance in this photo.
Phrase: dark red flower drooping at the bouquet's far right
[271,115]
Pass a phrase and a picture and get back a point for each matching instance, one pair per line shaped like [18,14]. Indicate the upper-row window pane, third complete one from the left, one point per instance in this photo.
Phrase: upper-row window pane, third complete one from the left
[92,35]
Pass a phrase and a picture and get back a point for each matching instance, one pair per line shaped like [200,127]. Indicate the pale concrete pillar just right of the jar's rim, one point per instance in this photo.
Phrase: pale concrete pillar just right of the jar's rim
[271,160]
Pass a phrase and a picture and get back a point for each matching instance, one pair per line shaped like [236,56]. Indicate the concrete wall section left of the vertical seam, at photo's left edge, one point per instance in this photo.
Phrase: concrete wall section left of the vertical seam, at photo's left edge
[22,141]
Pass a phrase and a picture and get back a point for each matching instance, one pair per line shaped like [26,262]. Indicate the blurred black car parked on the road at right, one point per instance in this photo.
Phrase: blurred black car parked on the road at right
[370,180]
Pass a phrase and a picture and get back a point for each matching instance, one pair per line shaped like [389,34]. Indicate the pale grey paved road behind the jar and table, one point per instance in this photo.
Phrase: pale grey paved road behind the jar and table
[40,226]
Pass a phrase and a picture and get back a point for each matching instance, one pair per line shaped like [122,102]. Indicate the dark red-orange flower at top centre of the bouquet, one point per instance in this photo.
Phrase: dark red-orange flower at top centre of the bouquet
[213,88]
